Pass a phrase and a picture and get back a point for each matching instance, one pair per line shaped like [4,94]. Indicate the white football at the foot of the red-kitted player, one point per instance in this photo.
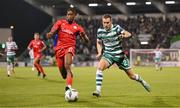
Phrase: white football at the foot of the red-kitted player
[71,95]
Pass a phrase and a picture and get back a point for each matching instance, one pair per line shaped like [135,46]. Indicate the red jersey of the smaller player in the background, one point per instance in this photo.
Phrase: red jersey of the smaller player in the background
[36,45]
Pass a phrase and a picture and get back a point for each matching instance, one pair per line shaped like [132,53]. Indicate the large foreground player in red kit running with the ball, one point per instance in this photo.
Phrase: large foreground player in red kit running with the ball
[67,30]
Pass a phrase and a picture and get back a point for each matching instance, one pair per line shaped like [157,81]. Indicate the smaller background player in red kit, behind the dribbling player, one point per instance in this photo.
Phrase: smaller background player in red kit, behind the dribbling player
[38,46]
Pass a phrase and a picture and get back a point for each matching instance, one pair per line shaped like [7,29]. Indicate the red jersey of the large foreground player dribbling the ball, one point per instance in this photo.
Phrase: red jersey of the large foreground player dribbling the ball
[66,33]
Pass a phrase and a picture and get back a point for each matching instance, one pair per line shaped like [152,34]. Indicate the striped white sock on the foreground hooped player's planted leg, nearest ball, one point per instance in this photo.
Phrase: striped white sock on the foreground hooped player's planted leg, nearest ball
[99,79]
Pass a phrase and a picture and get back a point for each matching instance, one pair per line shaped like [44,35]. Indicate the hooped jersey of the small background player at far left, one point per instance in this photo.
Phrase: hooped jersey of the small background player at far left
[9,46]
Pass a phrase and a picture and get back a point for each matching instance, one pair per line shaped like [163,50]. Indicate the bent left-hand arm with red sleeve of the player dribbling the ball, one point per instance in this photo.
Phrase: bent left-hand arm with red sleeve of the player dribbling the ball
[54,29]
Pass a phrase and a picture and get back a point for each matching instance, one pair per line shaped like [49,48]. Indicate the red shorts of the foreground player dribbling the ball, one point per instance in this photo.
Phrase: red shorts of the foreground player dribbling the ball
[60,54]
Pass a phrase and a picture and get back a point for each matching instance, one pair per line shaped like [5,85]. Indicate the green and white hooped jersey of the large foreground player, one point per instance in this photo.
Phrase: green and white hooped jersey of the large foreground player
[111,40]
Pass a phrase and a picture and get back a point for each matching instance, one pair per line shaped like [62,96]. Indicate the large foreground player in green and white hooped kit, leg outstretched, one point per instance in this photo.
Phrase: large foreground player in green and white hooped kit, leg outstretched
[110,36]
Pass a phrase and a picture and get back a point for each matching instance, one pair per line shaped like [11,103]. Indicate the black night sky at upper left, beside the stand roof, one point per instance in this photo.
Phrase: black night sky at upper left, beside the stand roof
[25,19]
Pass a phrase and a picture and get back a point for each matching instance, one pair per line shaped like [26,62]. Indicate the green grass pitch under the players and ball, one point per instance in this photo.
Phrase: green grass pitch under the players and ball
[25,89]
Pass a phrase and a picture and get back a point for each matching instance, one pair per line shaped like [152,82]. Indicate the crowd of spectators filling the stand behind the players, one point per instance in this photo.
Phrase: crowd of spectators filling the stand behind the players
[162,31]
